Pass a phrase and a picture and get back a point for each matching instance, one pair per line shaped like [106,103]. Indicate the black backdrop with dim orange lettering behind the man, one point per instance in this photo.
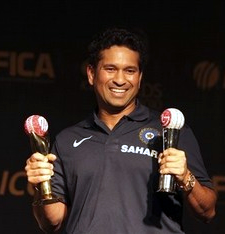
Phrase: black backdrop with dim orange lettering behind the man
[42,57]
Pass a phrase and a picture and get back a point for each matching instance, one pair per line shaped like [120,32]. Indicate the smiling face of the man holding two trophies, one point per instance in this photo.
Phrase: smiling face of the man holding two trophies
[117,78]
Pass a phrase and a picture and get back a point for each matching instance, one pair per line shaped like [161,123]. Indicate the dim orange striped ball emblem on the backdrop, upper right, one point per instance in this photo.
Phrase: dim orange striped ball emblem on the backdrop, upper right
[207,75]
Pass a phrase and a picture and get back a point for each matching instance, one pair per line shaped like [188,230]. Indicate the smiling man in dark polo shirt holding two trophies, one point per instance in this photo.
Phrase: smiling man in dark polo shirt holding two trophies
[105,169]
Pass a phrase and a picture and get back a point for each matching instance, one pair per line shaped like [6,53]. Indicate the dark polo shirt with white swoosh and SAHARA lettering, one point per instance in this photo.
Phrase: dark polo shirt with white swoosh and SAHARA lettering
[109,178]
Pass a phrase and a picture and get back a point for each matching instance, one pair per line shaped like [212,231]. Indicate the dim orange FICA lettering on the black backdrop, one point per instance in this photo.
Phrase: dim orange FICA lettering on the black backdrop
[26,65]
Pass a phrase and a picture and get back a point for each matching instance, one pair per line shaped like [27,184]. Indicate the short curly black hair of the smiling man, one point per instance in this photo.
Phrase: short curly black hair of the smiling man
[120,37]
